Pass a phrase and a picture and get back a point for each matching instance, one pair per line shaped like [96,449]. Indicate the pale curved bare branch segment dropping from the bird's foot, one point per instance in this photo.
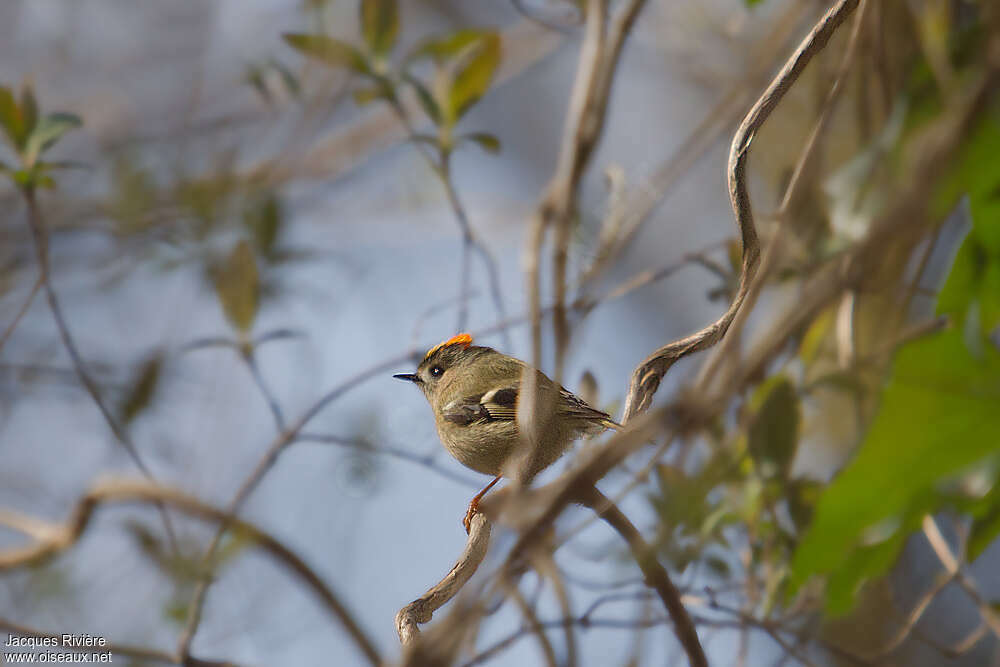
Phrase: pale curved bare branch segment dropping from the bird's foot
[422,609]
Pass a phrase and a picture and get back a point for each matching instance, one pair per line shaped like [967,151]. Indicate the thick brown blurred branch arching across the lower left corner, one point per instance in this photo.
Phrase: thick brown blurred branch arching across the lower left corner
[53,538]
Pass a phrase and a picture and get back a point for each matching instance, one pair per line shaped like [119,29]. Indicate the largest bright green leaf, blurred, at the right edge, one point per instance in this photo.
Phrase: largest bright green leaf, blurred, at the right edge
[939,415]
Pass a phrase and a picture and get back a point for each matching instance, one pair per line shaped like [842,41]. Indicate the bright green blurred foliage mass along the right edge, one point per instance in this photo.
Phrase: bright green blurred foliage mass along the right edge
[938,414]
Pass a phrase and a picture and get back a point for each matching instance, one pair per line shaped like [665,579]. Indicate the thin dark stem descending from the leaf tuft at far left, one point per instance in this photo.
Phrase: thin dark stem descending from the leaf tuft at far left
[39,235]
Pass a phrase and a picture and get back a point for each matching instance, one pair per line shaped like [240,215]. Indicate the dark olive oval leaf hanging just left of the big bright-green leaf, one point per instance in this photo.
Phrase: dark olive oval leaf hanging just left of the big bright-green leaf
[774,432]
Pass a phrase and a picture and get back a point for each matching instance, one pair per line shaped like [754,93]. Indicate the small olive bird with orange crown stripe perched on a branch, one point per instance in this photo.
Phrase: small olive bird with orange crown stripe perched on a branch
[474,392]
